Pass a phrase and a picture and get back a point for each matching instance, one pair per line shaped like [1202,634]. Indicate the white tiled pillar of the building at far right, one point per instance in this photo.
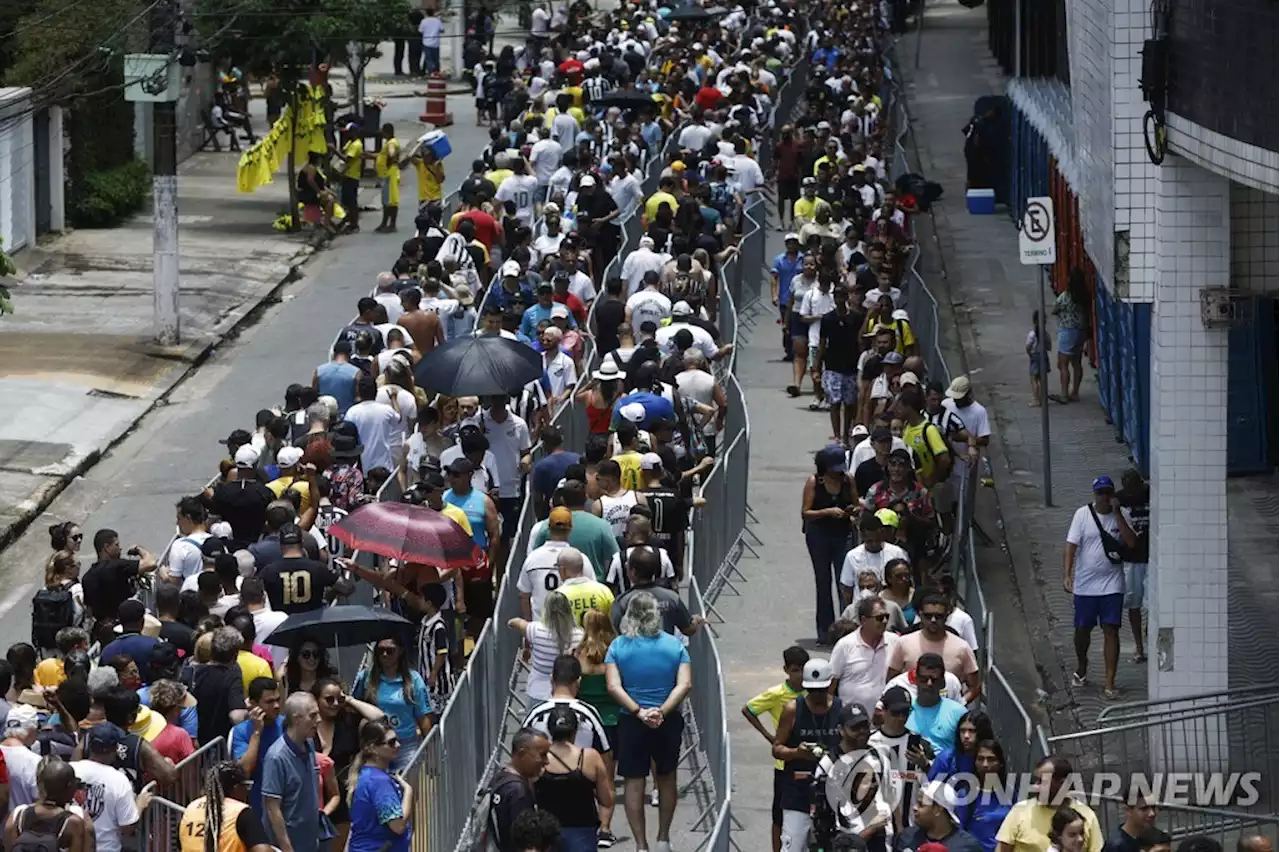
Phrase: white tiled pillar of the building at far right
[1187,603]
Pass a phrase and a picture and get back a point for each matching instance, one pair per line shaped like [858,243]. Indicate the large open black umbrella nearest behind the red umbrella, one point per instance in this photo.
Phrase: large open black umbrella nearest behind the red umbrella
[482,367]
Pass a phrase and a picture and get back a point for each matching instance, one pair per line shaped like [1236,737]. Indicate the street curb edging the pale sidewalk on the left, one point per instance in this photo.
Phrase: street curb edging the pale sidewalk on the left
[191,358]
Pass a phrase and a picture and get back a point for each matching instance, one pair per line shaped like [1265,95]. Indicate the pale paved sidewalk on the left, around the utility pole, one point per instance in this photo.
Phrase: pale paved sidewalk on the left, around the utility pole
[77,370]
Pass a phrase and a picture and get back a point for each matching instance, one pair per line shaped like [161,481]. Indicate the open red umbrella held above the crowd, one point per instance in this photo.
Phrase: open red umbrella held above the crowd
[408,533]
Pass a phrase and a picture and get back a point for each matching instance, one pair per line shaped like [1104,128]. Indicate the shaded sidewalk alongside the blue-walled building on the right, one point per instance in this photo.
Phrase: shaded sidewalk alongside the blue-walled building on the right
[973,268]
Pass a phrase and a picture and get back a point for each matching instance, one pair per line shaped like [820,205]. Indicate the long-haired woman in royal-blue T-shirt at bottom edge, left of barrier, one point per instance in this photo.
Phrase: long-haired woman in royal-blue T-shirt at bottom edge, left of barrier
[381,803]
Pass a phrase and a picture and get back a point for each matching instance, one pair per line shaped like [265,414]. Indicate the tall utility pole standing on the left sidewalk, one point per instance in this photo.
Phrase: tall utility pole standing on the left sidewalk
[164,187]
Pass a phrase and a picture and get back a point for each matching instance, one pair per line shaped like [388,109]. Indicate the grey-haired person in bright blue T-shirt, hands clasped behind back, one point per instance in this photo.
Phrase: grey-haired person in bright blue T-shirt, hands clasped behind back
[648,675]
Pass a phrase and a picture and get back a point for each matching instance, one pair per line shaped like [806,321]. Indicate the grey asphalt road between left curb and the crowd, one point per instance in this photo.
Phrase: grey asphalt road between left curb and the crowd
[175,450]
